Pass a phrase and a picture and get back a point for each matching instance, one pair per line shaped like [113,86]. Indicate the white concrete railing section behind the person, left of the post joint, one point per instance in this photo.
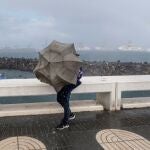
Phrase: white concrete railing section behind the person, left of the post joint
[105,96]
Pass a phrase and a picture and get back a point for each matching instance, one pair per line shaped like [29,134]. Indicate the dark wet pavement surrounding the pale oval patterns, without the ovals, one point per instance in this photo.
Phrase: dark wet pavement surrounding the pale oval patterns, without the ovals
[81,135]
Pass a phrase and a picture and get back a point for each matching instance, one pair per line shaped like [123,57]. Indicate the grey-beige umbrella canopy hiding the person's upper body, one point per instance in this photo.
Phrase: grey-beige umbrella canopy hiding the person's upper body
[58,65]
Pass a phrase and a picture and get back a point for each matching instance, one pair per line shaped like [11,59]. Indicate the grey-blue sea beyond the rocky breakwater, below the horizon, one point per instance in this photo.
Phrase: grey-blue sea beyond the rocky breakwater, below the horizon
[111,56]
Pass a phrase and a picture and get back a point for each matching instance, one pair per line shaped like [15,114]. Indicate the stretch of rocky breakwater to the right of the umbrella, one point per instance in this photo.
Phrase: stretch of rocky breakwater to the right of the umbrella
[116,68]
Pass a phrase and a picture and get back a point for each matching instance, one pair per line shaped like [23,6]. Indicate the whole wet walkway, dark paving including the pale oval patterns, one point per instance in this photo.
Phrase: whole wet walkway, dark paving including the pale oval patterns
[126,129]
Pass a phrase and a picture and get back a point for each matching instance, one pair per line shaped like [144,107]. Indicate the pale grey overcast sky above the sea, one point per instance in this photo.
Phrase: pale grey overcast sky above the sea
[110,23]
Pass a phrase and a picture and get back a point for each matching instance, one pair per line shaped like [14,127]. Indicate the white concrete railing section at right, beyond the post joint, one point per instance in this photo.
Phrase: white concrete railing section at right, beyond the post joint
[130,83]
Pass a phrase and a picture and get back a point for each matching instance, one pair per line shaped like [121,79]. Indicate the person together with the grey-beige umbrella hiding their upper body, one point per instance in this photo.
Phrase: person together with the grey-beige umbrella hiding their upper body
[57,65]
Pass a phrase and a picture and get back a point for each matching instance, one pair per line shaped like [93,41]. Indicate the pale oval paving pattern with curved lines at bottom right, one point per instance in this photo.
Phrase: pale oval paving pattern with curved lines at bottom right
[116,139]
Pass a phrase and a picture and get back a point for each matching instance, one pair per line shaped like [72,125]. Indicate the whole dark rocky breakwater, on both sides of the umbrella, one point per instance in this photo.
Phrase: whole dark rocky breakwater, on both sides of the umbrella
[90,68]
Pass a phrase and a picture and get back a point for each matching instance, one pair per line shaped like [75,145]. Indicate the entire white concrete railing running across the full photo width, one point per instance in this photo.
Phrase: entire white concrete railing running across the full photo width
[108,91]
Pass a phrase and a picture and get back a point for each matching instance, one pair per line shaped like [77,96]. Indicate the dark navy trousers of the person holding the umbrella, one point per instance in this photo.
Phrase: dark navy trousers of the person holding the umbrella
[63,97]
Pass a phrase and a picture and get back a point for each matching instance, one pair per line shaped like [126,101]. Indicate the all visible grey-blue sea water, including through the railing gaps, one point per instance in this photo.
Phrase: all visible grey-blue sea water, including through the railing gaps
[108,56]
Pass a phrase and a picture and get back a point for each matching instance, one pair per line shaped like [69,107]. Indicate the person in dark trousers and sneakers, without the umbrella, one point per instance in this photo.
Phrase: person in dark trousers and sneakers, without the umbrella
[63,97]
